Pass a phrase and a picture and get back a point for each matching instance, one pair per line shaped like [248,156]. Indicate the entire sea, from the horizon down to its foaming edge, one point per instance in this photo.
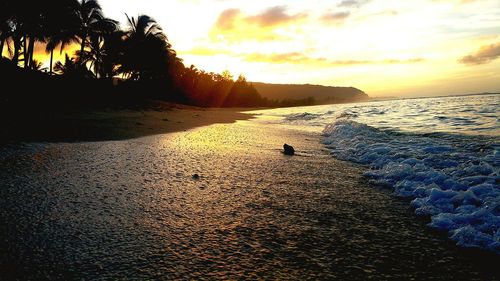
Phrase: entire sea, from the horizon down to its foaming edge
[443,153]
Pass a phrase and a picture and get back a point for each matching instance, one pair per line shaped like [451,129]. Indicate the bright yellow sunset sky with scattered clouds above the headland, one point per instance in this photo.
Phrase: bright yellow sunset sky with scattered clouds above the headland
[386,48]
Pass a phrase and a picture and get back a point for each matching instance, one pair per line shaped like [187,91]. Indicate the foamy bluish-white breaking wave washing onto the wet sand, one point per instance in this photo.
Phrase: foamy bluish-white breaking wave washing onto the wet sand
[454,179]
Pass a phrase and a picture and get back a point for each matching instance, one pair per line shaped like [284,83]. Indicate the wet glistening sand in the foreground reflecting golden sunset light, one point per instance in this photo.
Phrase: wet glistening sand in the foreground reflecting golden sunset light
[131,209]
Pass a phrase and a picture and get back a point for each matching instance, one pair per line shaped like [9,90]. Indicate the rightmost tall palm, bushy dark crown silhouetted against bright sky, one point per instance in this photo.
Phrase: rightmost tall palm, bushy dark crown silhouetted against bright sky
[147,50]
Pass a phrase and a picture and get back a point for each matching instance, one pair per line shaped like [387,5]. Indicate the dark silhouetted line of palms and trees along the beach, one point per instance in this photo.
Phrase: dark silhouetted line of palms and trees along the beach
[139,56]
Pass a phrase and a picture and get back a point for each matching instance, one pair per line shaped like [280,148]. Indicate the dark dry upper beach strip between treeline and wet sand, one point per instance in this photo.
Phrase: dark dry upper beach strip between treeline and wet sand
[111,123]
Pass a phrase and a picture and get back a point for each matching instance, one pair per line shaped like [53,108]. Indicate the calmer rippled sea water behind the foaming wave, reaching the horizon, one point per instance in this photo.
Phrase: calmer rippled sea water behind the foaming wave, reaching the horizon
[463,115]
